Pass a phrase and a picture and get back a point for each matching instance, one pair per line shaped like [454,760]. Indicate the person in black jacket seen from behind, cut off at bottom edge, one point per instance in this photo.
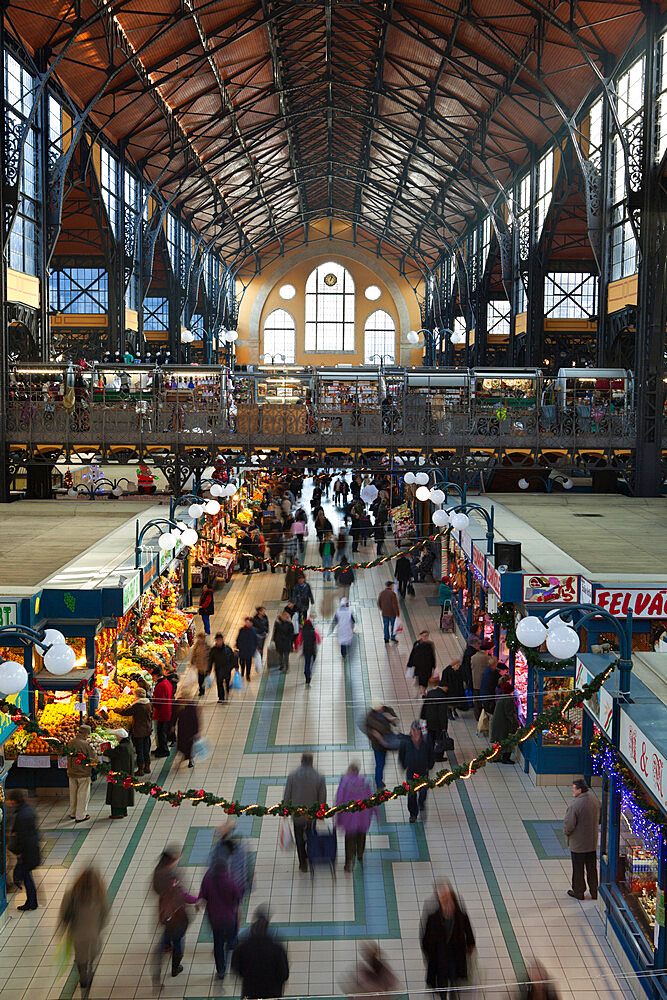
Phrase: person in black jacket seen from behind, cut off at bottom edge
[260,961]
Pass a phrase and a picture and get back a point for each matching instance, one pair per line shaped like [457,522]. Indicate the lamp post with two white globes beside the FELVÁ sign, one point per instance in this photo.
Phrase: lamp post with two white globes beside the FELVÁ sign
[562,638]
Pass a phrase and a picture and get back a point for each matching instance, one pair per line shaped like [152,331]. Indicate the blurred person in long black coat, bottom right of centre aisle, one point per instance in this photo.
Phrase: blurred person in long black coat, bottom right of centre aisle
[447,941]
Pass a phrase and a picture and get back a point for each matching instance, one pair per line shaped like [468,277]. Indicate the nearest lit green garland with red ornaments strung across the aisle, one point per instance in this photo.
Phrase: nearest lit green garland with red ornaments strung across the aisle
[322,810]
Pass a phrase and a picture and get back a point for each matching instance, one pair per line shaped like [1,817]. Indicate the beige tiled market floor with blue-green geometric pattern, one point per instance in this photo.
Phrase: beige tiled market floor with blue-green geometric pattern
[495,837]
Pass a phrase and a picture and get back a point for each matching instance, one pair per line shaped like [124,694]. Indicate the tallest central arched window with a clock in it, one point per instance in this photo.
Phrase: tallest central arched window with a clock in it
[330,309]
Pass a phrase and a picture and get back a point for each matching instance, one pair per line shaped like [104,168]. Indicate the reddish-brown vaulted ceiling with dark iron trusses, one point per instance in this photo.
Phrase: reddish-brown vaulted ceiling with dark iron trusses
[404,117]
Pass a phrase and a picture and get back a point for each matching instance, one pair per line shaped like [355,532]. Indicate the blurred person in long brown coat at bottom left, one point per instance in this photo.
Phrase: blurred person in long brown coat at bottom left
[84,913]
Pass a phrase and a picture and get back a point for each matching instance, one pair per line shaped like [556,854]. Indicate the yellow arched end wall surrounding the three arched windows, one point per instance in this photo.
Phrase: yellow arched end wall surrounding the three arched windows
[398,300]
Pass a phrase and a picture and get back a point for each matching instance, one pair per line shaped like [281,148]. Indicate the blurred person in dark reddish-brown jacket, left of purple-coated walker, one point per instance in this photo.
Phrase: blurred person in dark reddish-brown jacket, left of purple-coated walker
[172,913]
